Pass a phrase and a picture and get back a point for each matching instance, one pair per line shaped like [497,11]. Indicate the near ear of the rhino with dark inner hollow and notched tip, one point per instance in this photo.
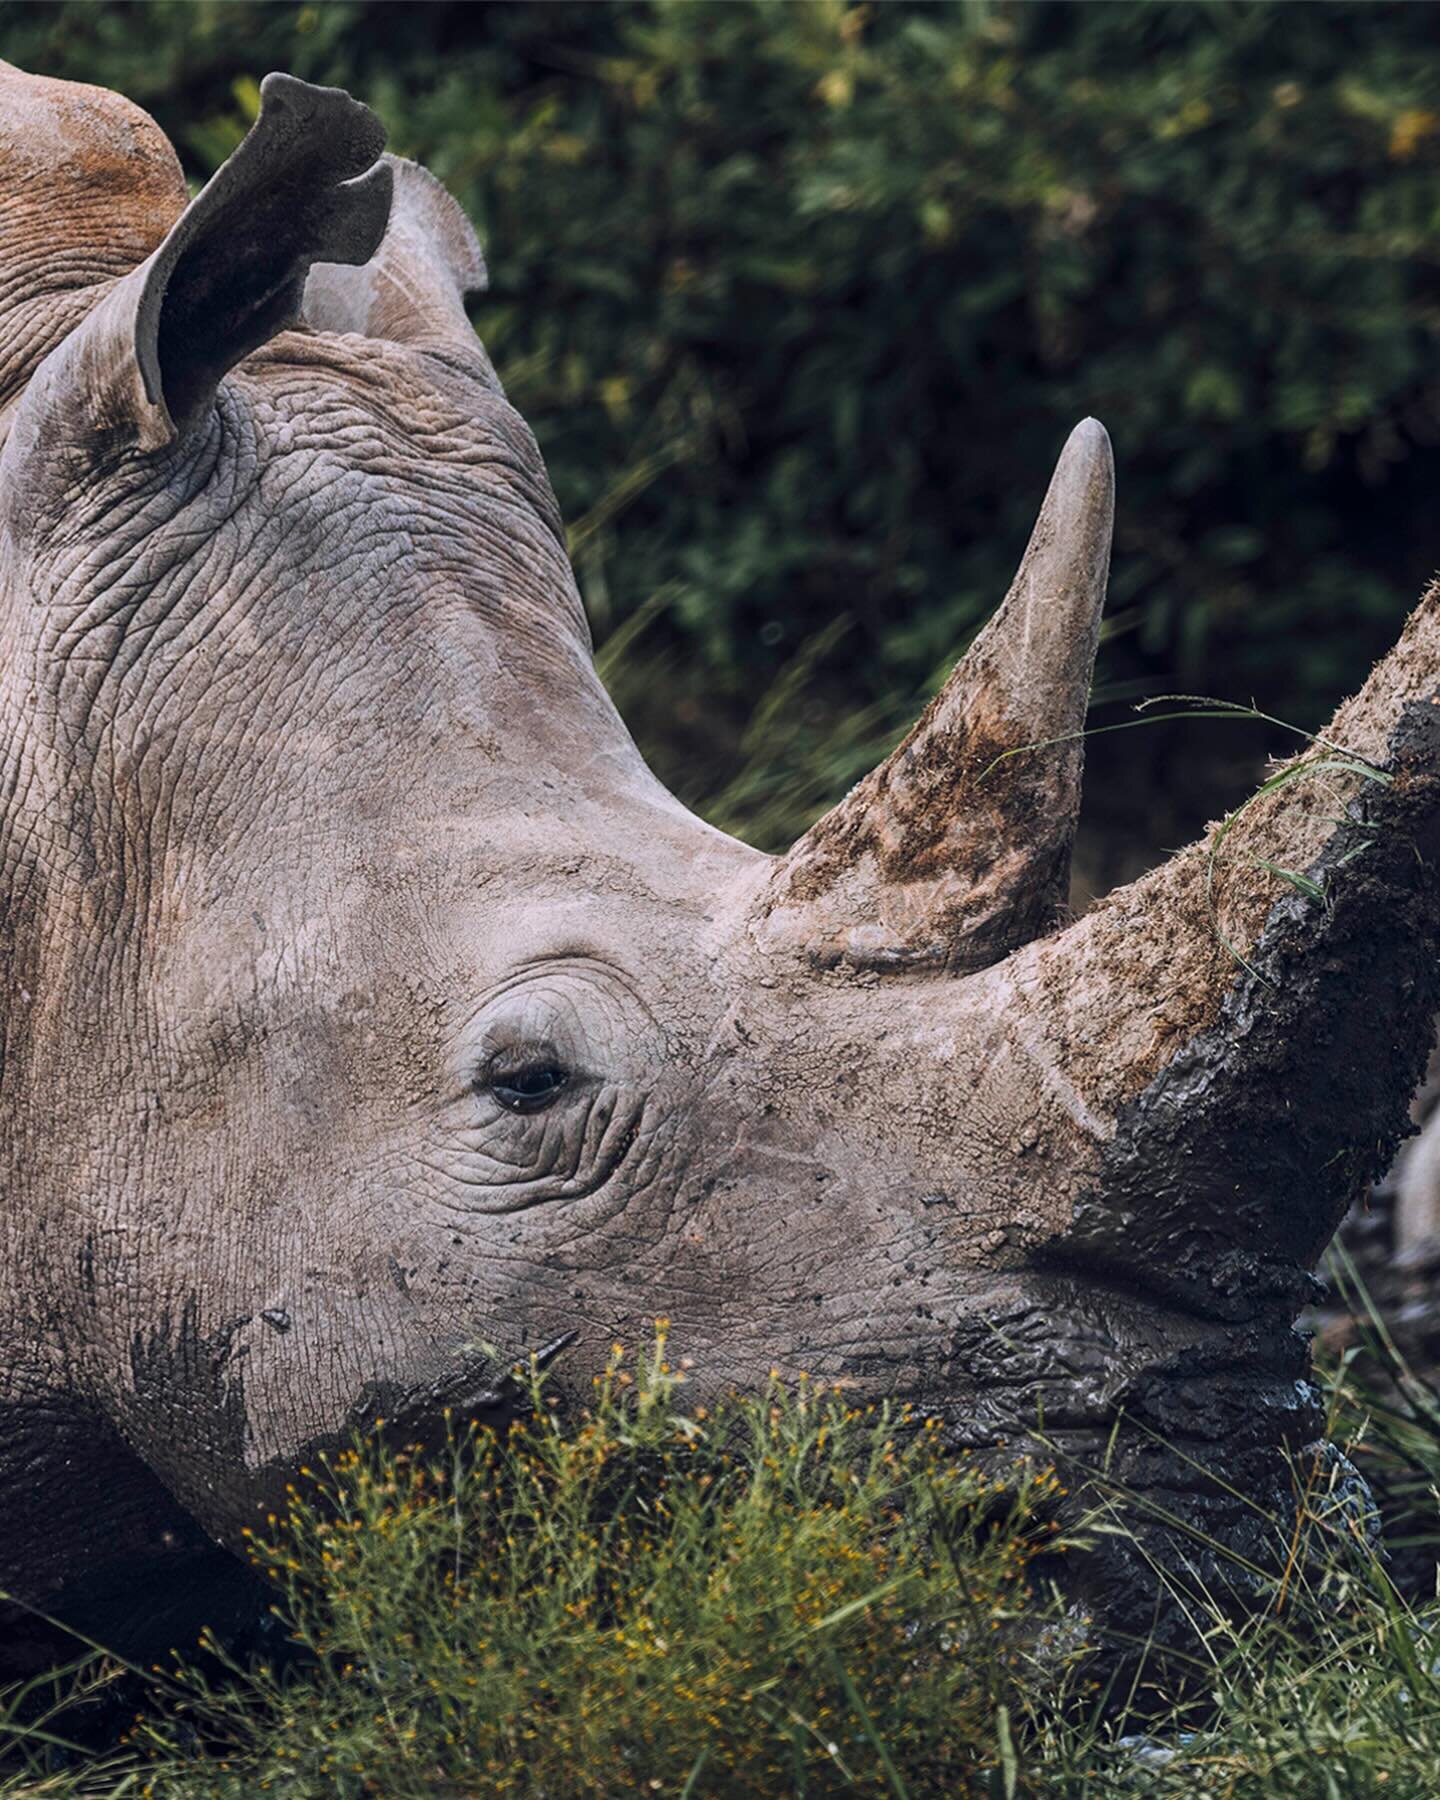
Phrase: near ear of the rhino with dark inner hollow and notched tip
[303,188]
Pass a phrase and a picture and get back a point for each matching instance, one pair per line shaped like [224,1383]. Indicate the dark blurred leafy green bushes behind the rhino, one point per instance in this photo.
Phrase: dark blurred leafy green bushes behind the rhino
[804,298]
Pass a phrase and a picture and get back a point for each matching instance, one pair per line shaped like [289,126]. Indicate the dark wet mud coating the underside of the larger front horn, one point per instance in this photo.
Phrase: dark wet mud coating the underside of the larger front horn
[1230,1173]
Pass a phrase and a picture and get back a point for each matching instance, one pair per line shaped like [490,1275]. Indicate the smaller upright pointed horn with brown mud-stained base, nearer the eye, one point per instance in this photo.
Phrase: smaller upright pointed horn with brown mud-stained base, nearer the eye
[957,849]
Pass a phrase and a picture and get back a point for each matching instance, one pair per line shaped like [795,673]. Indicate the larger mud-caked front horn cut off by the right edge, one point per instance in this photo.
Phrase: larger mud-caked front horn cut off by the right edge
[1239,1032]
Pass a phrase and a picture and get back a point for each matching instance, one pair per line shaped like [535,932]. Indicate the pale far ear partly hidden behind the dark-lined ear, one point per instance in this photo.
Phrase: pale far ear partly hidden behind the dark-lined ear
[413,291]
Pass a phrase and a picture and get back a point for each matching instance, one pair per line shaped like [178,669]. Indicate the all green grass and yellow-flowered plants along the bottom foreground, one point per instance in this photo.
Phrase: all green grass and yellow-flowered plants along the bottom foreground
[786,1596]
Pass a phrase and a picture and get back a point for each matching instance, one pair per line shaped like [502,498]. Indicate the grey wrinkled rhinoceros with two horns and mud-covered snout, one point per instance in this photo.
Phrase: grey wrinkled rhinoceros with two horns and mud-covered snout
[375,1016]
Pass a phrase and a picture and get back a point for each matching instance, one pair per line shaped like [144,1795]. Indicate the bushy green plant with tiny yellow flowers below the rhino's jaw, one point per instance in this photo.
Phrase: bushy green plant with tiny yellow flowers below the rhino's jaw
[789,1596]
